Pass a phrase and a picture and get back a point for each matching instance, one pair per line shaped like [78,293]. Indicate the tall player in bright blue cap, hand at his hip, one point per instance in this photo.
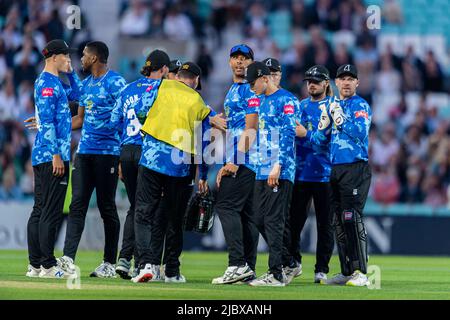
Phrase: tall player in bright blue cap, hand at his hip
[234,202]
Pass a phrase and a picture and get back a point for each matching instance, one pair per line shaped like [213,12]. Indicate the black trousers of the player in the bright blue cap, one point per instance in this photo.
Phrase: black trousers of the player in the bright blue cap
[234,206]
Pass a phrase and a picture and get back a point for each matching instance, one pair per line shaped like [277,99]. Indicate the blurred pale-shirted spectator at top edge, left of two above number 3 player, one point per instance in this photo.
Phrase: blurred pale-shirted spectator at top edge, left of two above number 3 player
[136,19]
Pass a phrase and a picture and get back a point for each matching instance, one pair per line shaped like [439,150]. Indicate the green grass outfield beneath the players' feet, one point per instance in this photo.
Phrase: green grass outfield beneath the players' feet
[401,278]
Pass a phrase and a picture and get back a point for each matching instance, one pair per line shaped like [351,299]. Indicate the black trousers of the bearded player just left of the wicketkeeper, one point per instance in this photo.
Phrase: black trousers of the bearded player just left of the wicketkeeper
[302,196]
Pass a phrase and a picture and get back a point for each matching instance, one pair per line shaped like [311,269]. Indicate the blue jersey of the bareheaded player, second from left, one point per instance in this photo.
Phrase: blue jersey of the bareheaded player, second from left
[98,100]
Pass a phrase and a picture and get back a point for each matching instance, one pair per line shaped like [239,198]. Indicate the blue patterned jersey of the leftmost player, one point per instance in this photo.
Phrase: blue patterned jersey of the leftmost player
[53,118]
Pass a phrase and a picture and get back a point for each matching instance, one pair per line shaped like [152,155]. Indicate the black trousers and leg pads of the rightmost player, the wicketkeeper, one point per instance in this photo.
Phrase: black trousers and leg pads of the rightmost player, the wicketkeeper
[349,189]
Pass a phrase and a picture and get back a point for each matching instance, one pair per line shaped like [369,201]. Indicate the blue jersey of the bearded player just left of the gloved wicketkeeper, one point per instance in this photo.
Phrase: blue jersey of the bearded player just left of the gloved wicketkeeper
[313,151]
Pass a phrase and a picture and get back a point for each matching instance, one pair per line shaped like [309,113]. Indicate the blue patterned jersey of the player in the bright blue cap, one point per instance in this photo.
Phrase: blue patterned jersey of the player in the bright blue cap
[239,102]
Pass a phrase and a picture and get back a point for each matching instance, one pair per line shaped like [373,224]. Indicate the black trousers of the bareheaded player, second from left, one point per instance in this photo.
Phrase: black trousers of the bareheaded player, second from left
[100,172]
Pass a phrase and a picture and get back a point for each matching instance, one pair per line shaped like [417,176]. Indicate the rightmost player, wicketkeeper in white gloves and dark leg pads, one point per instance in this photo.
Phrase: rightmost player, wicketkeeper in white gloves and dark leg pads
[350,177]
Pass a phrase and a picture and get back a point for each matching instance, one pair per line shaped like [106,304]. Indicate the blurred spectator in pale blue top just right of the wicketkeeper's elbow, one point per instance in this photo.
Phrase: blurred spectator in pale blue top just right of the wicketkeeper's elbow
[385,147]
